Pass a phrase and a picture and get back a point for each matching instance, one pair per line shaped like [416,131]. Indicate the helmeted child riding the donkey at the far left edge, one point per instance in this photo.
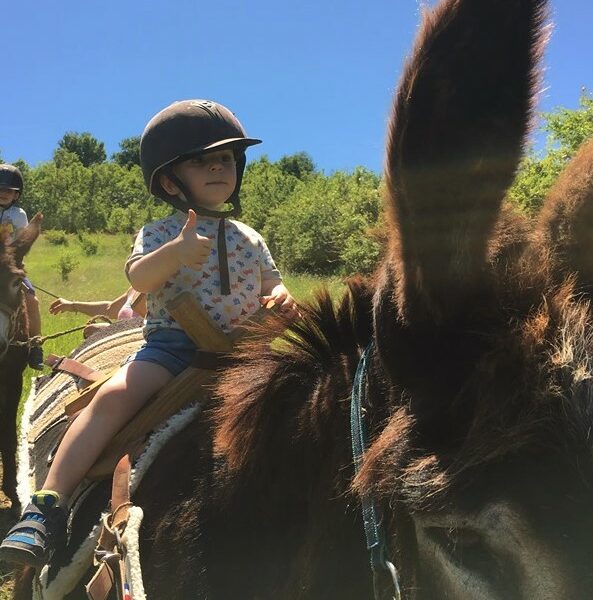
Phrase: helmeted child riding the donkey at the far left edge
[12,219]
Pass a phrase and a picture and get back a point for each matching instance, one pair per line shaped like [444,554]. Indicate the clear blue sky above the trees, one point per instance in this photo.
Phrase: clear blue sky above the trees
[306,75]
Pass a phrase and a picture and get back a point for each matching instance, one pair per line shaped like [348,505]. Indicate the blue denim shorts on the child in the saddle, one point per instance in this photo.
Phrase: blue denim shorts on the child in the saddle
[170,348]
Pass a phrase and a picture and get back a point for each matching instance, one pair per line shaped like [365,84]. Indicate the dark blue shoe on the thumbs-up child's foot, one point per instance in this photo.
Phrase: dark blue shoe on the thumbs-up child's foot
[34,538]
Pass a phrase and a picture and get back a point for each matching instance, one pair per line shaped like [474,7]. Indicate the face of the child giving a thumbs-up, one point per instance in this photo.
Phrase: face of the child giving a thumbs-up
[211,177]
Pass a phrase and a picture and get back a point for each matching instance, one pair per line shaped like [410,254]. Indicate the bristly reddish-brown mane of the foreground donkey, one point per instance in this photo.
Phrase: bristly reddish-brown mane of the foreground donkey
[292,385]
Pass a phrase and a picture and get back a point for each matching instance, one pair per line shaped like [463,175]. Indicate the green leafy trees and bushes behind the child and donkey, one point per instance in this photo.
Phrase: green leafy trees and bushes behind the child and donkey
[313,222]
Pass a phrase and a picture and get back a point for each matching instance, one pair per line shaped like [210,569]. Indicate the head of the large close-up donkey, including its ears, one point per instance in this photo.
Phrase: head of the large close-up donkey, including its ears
[483,326]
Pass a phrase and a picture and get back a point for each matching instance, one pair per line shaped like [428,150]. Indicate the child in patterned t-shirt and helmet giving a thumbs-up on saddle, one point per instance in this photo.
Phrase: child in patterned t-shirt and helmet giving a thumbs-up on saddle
[193,157]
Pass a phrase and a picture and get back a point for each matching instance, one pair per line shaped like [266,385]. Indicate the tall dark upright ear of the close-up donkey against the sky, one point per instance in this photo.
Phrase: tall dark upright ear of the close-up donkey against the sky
[455,138]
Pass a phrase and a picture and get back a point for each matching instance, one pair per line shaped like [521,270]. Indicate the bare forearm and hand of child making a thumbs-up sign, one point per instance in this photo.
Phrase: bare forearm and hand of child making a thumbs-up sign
[150,272]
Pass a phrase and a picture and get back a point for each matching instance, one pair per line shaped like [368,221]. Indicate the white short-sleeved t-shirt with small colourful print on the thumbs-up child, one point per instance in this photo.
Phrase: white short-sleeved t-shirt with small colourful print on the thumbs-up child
[249,260]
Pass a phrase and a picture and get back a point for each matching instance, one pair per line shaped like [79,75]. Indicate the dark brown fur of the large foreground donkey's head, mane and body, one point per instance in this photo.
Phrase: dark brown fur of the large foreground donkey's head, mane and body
[480,379]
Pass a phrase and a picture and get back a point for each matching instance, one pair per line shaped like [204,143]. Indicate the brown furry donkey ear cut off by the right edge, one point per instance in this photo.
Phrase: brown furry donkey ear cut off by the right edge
[565,226]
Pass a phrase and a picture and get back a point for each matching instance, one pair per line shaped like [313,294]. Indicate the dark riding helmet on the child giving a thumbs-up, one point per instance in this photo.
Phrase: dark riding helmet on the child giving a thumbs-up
[187,128]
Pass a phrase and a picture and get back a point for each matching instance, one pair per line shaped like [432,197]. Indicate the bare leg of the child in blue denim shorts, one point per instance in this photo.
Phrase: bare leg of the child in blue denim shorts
[114,405]
